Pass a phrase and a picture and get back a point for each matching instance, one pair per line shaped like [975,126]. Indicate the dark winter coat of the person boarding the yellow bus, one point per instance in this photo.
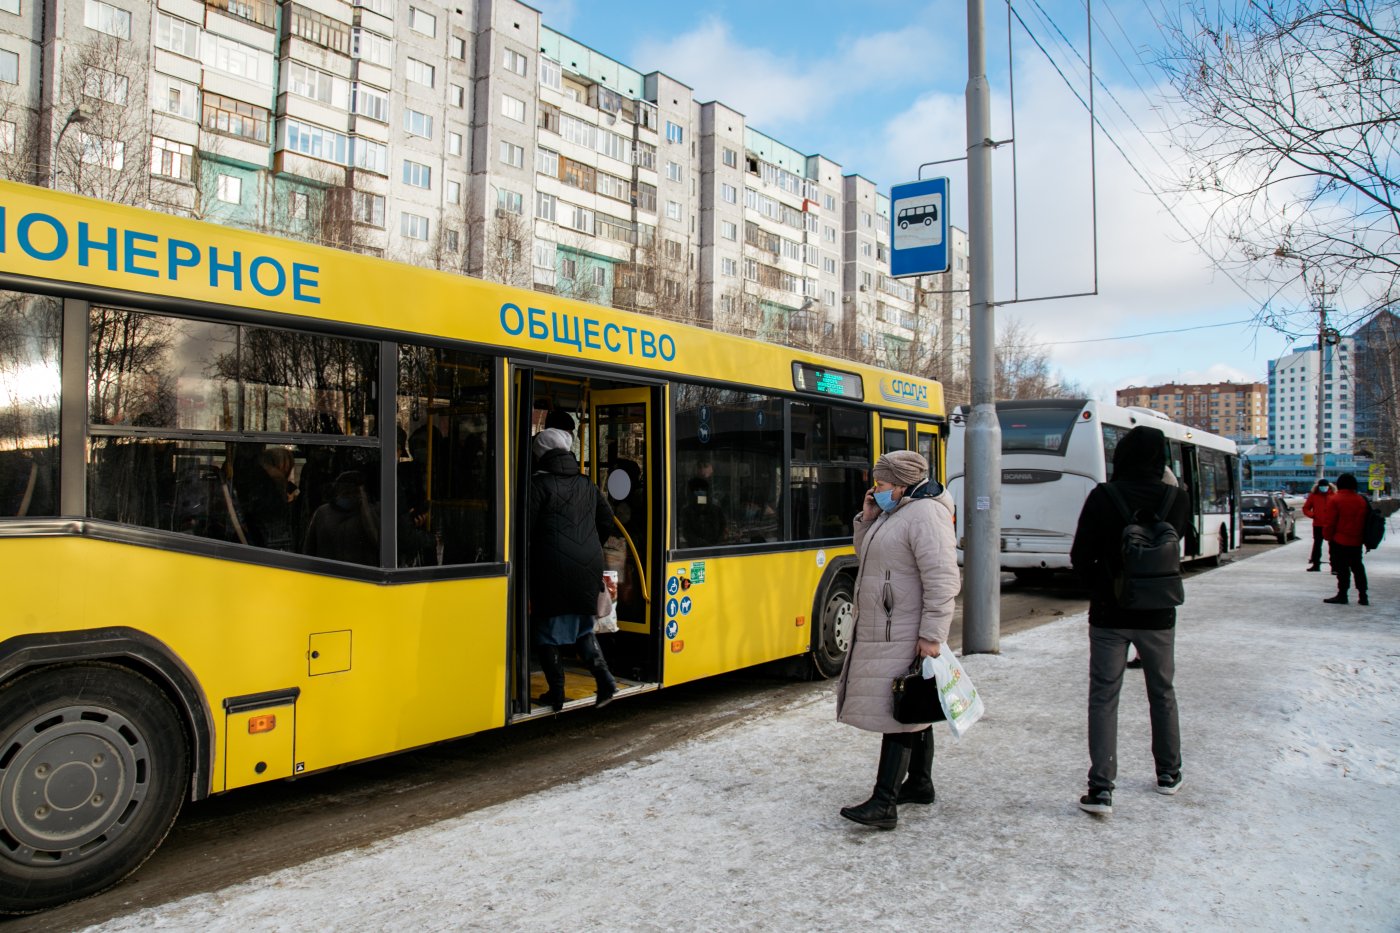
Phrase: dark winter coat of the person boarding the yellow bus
[569,522]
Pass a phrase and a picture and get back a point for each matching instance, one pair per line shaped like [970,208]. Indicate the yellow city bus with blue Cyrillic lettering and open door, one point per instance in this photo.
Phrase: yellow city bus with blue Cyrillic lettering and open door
[262,513]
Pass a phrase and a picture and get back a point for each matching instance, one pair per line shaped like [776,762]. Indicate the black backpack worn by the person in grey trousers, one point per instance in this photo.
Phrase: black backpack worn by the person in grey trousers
[1149,572]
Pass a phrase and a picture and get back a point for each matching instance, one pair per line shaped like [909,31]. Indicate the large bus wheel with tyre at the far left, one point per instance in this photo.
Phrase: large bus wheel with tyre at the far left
[94,767]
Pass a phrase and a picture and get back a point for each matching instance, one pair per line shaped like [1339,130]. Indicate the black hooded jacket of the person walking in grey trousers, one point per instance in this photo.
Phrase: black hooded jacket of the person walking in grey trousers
[1139,463]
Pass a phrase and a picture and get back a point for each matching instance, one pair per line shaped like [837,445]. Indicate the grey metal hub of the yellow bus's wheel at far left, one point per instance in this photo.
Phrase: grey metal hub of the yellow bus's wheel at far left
[71,782]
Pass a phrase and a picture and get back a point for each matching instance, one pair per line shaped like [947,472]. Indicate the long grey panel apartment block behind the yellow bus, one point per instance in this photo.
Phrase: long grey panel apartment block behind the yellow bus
[471,138]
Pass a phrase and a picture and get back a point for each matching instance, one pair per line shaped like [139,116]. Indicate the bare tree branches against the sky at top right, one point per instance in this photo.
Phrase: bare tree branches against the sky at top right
[1290,125]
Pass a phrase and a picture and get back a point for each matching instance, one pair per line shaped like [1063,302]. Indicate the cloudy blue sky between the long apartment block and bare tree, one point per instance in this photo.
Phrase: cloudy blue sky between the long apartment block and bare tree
[880,88]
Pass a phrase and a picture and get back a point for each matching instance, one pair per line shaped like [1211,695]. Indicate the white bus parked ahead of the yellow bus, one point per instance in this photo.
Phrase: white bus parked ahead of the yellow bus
[1056,450]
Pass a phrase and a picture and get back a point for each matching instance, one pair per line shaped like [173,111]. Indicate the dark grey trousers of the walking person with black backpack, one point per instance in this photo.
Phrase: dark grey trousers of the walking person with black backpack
[1108,656]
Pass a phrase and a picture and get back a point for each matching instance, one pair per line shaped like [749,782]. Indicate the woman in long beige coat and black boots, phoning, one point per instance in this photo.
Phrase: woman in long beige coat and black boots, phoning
[905,604]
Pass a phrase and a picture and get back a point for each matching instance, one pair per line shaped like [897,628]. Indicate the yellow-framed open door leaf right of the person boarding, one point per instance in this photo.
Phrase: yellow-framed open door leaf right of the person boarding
[625,462]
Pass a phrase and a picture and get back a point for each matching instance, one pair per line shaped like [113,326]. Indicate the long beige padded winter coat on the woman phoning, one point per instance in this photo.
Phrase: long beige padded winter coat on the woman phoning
[905,592]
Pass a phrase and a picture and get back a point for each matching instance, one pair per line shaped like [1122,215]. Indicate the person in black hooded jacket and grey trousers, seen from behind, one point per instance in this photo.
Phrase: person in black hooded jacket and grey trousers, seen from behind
[1139,466]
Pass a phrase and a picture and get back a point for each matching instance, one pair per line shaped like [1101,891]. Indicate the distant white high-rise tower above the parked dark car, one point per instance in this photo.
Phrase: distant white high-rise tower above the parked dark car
[1293,400]
